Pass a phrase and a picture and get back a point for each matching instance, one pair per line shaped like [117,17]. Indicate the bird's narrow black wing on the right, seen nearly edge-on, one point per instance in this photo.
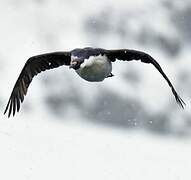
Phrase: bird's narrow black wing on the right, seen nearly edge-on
[128,55]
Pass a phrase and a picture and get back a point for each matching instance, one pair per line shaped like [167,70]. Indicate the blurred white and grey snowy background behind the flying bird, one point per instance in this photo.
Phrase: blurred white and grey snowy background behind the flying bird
[127,127]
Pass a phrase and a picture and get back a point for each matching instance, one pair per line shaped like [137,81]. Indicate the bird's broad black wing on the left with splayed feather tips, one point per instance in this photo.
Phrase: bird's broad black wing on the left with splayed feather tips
[32,67]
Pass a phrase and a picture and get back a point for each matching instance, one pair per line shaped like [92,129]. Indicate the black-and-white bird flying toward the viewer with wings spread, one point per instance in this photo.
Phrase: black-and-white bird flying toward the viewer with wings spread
[91,64]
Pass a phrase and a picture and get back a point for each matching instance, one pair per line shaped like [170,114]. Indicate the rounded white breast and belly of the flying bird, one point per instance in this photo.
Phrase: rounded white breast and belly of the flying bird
[96,68]
